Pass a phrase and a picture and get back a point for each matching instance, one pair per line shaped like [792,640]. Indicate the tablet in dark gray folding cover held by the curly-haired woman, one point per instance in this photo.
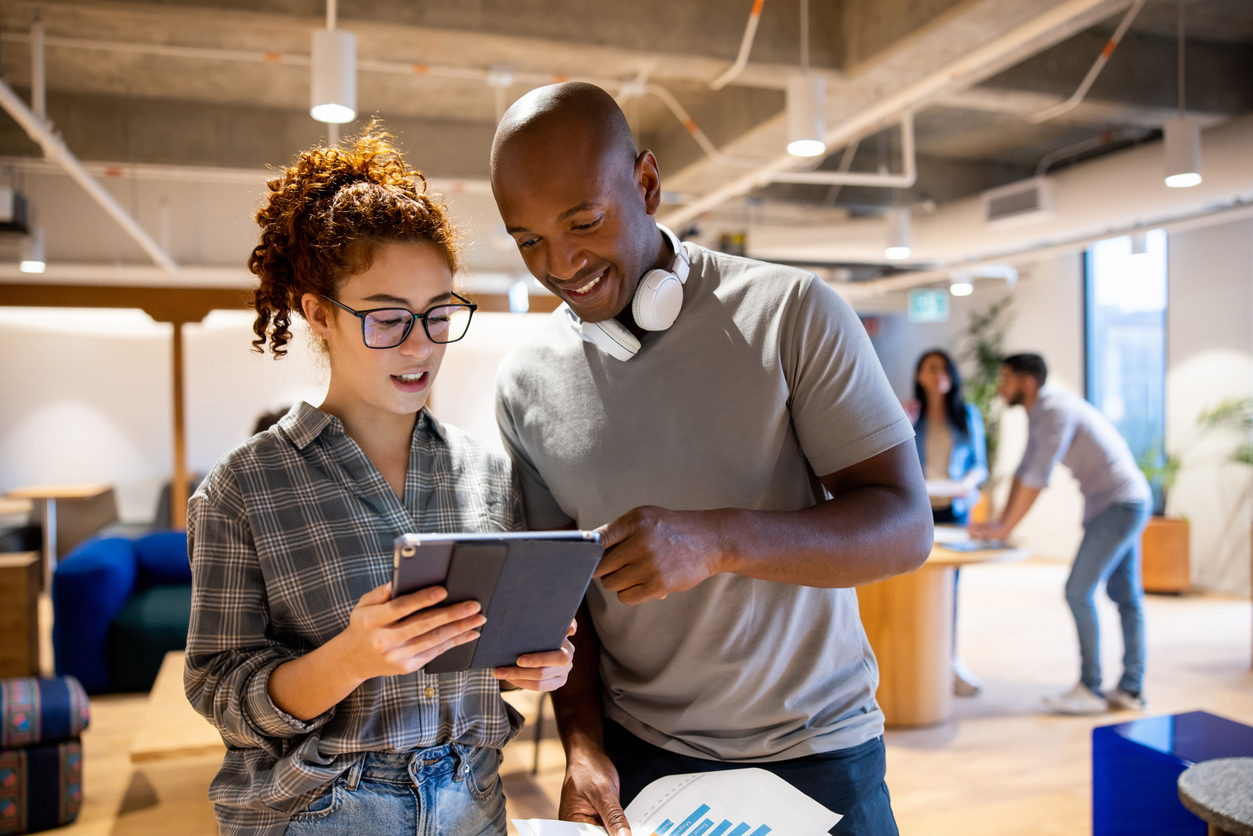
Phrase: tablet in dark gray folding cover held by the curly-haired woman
[528,583]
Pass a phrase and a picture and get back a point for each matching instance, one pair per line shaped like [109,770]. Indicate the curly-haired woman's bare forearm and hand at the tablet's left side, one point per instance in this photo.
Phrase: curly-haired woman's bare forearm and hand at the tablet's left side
[384,639]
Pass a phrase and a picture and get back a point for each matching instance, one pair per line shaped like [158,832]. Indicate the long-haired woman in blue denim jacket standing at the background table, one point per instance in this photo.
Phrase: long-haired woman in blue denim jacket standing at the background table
[950,438]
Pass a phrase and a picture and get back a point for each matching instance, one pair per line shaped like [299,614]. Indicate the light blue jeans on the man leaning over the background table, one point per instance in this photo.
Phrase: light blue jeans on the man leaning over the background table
[1111,553]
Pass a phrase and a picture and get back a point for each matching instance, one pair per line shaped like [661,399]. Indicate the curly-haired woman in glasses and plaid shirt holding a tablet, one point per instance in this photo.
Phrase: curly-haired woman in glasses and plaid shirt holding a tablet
[298,651]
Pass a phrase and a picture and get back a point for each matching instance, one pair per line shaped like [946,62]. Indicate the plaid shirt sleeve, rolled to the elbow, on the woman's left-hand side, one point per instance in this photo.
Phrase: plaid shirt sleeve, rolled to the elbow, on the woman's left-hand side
[230,651]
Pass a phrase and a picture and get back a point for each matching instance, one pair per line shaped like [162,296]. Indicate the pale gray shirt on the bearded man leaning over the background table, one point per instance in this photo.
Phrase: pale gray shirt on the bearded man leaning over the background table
[1068,429]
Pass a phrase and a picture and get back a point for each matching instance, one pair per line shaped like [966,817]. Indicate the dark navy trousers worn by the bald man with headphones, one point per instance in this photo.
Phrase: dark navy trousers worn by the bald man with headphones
[848,781]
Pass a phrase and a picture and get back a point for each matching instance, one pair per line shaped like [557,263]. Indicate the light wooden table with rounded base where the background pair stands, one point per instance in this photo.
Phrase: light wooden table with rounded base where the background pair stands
[909,624]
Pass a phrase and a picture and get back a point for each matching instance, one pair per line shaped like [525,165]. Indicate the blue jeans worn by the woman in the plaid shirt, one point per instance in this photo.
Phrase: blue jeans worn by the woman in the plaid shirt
[448,790]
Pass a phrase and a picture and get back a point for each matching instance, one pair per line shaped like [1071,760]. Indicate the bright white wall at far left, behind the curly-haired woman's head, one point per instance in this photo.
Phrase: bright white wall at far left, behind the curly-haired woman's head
[87,397]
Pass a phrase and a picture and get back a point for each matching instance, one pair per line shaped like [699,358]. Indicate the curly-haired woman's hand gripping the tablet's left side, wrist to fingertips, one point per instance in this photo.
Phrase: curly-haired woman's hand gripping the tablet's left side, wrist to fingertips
[388,637]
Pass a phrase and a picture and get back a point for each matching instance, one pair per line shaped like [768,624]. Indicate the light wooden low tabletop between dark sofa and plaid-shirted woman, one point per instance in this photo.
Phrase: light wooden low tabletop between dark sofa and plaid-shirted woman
[172,729]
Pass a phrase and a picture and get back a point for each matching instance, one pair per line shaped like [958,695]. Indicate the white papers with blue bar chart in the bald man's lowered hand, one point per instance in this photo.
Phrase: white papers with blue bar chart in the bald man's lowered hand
[747,803]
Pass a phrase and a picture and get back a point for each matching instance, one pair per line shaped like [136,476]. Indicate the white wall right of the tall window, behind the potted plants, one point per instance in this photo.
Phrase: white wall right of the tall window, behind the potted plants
[1211,359]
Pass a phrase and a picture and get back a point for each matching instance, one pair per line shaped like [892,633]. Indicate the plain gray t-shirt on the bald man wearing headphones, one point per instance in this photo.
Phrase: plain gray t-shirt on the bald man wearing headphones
[766,382]
